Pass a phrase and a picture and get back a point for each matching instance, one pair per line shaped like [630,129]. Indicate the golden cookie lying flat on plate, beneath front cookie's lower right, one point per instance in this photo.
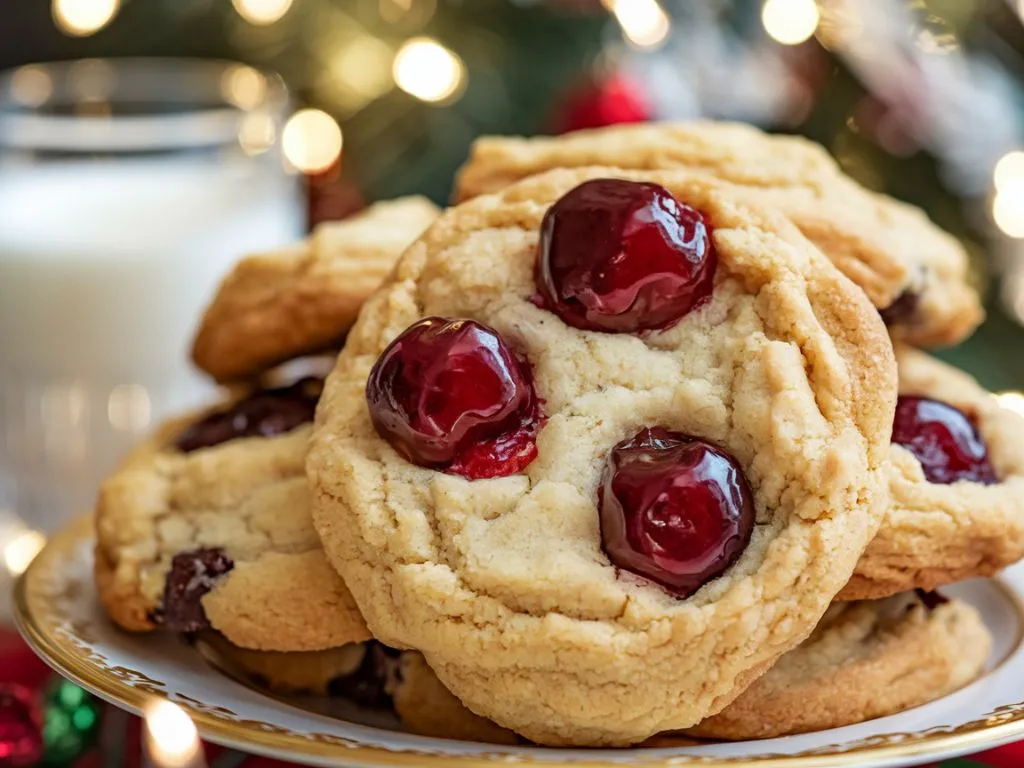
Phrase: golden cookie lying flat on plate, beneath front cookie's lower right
[865,661]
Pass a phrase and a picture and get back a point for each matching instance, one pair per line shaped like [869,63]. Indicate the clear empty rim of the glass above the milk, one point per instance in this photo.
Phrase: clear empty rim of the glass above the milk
[209,96]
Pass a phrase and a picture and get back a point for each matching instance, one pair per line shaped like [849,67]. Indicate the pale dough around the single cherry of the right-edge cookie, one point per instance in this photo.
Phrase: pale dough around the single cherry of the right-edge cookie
[940,534]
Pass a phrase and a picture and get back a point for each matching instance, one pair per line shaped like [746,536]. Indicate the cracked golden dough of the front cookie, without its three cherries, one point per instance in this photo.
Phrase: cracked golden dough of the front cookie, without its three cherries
[503,584]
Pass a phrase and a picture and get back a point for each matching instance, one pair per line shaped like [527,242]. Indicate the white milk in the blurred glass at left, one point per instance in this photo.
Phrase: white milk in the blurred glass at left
[105,270]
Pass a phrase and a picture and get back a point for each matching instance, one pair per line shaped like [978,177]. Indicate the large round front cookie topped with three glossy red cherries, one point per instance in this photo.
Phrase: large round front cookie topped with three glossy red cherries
[603,483]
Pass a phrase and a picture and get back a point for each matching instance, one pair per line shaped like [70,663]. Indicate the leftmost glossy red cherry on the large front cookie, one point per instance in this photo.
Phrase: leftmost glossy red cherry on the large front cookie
[450,395]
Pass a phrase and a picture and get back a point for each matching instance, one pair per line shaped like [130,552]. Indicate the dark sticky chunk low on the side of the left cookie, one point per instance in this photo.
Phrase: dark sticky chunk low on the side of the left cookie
[192,576]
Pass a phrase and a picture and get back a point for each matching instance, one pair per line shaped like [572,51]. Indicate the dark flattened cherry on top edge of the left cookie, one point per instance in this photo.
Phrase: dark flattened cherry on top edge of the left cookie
[264,414]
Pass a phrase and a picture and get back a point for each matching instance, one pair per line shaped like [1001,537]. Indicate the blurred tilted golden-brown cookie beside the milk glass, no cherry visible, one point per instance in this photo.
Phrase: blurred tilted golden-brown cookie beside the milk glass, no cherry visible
[302,300]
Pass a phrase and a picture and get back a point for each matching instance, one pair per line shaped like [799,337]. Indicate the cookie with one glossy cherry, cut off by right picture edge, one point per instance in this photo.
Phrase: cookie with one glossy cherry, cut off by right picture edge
[958,500]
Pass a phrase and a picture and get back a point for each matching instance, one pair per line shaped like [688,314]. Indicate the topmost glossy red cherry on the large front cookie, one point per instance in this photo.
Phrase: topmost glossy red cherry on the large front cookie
[623,257]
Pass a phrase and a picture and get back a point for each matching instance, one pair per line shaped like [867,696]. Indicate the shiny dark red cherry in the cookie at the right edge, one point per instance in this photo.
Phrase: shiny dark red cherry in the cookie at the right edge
[944,440]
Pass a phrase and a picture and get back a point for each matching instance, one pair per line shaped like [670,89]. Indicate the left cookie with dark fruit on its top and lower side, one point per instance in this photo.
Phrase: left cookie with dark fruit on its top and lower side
[207,525]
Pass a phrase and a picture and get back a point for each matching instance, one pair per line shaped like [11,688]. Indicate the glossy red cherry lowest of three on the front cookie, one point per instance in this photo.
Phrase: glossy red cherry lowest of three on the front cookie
[674,509]
